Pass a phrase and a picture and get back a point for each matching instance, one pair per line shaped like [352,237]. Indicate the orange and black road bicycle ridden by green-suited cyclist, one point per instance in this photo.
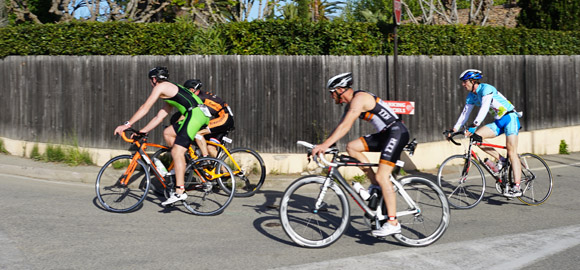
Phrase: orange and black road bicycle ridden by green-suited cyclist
[124,181]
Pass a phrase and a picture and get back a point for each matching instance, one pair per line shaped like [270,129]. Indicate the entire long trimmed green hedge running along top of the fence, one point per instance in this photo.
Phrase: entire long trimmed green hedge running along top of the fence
[280,37]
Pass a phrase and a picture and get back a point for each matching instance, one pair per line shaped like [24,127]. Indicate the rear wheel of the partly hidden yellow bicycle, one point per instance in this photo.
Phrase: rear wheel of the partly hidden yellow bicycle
[251,174]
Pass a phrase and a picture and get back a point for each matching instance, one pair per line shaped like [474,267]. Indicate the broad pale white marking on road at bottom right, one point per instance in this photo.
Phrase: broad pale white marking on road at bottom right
[501,252]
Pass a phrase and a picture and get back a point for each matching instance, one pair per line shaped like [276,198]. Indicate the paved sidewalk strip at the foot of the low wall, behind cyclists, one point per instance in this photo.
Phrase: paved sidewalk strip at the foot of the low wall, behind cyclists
[14,165]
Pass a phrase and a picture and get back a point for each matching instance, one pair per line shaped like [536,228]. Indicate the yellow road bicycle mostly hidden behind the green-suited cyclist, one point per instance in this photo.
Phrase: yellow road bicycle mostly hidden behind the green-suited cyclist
[246,164]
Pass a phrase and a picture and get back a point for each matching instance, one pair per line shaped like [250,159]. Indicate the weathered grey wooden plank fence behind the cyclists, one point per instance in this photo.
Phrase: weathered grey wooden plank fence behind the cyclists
[277,100]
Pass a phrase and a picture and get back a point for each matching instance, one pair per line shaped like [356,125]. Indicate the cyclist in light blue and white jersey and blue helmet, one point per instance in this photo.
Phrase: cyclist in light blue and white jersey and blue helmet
[506,120]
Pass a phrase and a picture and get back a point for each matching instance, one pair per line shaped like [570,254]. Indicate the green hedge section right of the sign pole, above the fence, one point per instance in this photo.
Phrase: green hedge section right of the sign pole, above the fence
[473,40]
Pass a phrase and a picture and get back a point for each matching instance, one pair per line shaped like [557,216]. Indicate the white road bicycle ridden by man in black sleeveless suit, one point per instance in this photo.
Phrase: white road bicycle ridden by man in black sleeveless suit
[315,211]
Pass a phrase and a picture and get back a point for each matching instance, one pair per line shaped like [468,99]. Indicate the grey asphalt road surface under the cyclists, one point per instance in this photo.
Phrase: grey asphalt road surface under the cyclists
[49,224]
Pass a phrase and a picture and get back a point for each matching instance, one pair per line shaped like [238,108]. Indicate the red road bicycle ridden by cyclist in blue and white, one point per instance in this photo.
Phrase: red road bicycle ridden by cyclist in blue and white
[462,179]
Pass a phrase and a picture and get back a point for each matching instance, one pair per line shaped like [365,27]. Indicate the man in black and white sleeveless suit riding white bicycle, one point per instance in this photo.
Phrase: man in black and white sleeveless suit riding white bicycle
[390,139]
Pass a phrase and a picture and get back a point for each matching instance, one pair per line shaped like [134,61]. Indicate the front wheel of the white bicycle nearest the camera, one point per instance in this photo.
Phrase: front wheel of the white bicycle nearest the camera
[306,226]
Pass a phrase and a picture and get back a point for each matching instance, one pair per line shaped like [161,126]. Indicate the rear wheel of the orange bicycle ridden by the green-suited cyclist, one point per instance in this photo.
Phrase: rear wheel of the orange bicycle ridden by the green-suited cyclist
[203,198]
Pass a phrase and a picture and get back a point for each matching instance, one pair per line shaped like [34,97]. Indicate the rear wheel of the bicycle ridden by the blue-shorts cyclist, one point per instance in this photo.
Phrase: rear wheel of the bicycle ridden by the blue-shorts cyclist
[536,183]
